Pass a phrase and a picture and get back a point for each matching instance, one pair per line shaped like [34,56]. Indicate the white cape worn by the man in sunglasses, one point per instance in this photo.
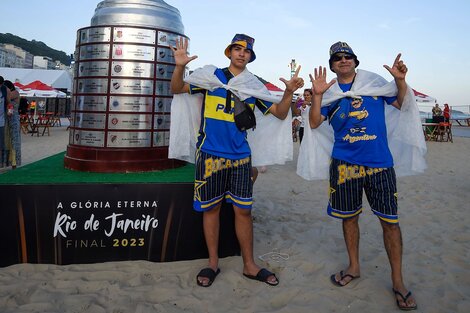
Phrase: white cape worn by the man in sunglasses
[404,131]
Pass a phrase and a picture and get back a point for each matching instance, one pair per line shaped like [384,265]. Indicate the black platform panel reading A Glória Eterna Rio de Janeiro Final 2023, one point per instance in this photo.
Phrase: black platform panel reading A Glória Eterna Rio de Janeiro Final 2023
[89,223]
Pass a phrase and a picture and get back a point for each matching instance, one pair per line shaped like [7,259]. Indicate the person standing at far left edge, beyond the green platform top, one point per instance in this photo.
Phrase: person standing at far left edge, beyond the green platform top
[13,129]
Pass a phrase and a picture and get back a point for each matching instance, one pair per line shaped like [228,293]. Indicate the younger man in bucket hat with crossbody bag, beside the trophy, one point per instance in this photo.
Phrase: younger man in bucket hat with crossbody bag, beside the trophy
[223,155]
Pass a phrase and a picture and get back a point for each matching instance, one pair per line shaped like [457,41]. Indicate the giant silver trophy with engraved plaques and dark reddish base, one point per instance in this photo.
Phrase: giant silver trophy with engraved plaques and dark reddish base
[121,98]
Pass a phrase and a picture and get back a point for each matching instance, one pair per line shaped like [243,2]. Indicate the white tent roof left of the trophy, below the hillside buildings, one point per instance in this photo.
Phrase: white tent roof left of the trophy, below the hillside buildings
[58,79]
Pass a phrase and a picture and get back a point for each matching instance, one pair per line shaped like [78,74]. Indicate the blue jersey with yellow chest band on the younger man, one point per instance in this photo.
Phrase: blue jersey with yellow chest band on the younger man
[218,134]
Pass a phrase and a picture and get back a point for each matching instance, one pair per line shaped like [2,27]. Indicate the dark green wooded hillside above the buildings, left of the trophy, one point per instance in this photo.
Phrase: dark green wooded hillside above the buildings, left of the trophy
[34,47]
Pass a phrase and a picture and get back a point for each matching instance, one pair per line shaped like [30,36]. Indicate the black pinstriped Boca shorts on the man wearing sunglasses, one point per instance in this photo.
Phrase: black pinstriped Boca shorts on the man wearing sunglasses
[347,182]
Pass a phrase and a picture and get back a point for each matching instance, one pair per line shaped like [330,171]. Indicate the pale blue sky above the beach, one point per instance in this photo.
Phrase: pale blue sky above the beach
[430,34]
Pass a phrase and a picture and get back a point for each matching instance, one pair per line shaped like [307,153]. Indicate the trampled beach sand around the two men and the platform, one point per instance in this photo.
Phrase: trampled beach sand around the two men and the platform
[295,238]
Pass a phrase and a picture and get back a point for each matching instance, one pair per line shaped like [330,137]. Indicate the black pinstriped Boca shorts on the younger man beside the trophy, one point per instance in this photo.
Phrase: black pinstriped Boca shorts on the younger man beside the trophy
[220,178]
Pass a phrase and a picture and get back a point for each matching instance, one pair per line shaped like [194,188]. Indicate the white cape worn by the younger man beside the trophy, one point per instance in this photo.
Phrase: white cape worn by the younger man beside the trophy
[271,141]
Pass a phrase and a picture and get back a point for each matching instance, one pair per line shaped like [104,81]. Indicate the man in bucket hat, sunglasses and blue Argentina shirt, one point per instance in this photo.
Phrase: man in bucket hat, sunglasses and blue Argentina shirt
[355,105]
